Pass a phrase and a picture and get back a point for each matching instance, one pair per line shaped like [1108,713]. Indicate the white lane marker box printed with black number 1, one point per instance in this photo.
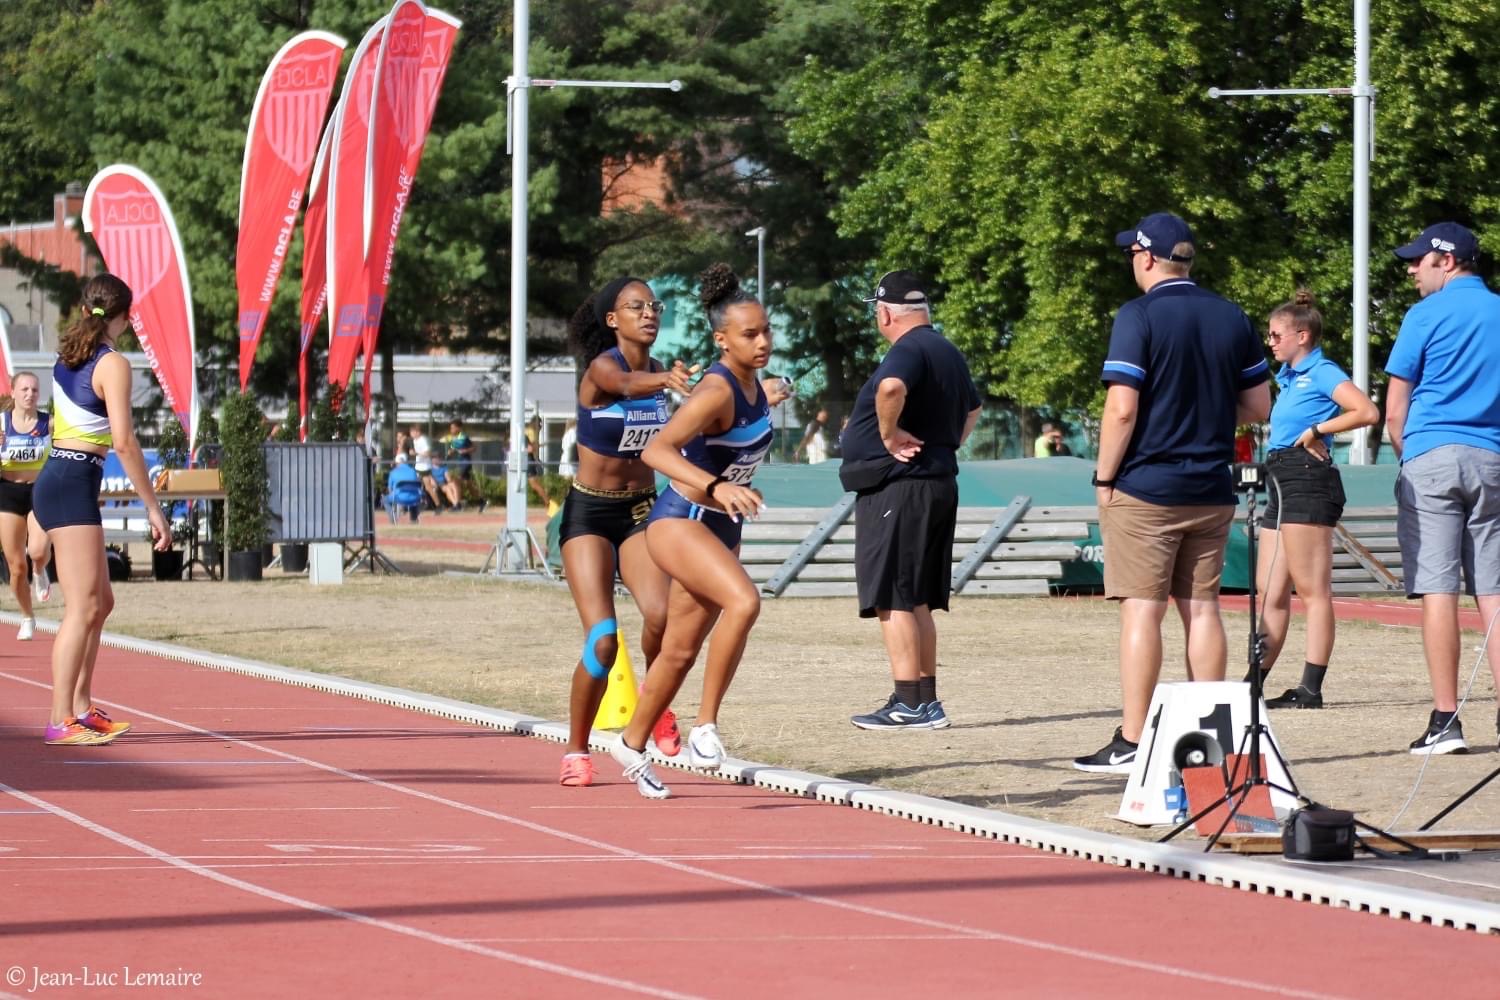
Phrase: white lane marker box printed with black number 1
[1193,725]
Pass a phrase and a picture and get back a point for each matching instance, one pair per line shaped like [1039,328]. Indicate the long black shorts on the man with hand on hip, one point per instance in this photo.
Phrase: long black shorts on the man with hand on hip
[904,545]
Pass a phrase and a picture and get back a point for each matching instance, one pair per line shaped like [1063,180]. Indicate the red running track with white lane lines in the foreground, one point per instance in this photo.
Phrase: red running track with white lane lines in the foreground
[278,842]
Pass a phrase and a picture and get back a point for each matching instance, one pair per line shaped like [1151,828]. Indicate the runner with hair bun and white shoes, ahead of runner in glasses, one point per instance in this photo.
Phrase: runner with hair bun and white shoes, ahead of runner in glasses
[710,449]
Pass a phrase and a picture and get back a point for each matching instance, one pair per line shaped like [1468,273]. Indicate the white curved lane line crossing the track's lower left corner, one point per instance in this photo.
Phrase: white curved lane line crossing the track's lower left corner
[328,911]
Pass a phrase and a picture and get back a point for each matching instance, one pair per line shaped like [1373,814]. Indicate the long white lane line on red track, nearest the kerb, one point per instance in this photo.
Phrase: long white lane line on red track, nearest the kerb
[745,884]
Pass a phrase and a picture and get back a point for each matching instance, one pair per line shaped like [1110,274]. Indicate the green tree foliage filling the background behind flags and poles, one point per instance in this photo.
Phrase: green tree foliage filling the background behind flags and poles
[994,145]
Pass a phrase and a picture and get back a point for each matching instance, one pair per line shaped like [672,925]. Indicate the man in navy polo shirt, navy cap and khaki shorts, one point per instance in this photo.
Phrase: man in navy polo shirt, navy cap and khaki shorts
[1184,370]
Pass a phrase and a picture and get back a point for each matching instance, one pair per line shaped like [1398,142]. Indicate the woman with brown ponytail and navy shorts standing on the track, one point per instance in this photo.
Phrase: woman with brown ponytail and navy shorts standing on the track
[91,413]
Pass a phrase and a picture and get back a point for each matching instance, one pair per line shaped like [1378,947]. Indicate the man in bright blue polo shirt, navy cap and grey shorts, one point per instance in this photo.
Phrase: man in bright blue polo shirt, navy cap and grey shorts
[1444,422]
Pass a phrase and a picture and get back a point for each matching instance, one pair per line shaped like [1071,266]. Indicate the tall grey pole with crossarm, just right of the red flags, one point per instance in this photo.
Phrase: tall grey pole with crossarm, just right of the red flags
[514,551]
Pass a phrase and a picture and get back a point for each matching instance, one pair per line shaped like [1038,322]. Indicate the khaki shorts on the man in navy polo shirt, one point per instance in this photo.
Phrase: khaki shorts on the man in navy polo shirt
[1156,552]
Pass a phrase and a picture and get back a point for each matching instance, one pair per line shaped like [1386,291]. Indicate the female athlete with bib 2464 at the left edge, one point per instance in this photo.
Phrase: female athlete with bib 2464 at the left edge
[28,434]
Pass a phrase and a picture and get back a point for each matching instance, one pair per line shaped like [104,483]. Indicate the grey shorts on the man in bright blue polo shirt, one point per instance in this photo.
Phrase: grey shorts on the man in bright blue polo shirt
[1448,521]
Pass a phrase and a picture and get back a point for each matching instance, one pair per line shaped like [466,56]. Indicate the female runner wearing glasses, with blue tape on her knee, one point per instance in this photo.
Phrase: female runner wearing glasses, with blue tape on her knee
[622,406]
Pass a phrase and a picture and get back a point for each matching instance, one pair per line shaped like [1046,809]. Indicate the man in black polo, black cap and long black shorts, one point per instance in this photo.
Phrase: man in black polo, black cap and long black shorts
[901,457]
